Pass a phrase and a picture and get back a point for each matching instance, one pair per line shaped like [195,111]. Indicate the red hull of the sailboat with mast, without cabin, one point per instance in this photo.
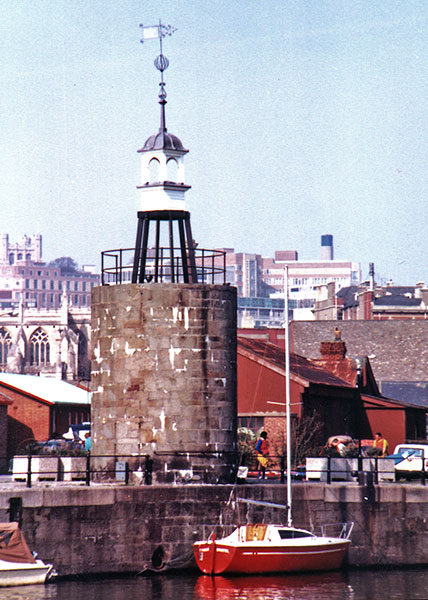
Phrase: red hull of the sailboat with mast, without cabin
[307,554]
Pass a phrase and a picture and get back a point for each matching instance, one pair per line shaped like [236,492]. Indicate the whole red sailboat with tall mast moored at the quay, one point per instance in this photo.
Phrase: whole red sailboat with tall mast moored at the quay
[261,548]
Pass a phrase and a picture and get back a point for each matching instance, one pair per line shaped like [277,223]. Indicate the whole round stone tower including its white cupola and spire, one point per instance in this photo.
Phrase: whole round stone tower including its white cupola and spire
[164,345]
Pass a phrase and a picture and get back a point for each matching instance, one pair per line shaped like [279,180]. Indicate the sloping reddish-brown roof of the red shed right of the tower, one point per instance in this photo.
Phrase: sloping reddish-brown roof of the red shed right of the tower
[299,365]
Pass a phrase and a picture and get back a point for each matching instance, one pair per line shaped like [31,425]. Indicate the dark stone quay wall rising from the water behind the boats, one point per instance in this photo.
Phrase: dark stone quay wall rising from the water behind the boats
[117,528]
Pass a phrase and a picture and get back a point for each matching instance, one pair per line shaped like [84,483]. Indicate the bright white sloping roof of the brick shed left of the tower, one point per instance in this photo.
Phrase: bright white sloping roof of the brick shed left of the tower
[49,389]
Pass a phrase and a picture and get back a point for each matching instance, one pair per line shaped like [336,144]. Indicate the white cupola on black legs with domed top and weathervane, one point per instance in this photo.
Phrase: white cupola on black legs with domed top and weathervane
[162,202]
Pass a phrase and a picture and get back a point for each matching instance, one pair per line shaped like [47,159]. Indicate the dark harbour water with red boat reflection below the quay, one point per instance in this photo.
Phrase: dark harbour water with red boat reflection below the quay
[394,584]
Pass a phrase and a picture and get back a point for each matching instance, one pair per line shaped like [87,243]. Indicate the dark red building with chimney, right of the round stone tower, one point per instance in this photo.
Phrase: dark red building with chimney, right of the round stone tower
[340,390]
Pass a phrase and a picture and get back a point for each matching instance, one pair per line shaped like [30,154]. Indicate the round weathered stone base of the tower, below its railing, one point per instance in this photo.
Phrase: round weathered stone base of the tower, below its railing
[164,378]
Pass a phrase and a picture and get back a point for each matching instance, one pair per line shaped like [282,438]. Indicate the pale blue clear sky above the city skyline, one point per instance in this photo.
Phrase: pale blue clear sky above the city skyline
[302,118]
